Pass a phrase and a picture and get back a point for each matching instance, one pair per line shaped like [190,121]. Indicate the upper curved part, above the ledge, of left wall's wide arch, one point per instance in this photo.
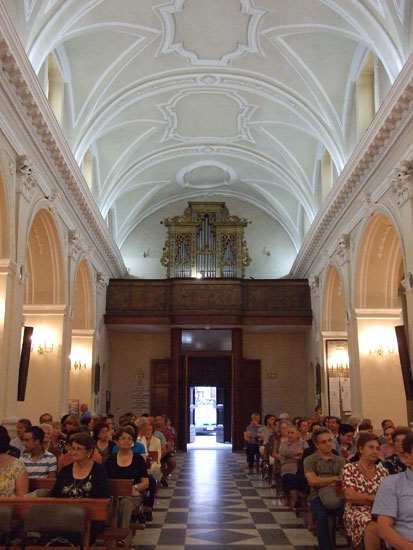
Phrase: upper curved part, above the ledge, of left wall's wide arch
[44,265]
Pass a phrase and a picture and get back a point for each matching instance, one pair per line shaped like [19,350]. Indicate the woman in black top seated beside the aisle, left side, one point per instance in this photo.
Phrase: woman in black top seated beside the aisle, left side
[126,464]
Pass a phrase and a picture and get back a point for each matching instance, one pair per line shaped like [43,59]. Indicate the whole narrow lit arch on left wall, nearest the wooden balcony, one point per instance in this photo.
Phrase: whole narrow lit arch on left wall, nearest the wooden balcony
[83,323]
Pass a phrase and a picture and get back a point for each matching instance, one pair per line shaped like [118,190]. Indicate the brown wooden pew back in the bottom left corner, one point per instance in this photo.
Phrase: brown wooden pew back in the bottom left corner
[96,510]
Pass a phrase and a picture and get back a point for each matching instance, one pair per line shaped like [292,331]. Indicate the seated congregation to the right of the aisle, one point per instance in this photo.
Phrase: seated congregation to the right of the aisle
[342,476]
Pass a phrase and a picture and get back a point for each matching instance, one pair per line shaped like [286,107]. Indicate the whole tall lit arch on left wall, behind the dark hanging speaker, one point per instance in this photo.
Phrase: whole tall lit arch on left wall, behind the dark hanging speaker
[44,309]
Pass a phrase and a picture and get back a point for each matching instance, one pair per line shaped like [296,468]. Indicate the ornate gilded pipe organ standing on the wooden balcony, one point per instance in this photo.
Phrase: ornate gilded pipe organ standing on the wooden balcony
[205,242]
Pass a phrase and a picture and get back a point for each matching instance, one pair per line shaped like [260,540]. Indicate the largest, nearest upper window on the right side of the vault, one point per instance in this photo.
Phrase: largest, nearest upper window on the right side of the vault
[365,96]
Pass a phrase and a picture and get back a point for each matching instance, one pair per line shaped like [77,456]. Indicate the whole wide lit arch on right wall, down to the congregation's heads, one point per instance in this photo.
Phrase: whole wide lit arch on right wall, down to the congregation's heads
[378,310]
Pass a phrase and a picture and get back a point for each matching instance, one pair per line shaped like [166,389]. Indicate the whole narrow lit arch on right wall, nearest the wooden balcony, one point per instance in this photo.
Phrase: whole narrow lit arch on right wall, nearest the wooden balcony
[336,375]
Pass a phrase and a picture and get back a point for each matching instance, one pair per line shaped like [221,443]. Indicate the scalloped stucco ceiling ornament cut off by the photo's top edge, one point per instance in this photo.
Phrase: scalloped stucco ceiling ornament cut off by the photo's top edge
[176,19]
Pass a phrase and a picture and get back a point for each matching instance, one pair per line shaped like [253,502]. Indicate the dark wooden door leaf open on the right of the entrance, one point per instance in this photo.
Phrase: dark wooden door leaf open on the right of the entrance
[247,397]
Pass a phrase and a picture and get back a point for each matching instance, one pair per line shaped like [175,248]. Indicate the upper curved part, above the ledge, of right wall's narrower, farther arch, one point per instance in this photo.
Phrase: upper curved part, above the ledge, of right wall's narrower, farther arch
[334,308]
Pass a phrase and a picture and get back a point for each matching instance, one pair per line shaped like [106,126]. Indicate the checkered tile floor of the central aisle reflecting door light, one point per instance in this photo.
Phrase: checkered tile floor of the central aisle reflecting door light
[212,503]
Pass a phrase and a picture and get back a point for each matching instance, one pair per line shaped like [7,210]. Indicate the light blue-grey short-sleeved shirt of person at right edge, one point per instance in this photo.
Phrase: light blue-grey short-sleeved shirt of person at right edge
[395,499]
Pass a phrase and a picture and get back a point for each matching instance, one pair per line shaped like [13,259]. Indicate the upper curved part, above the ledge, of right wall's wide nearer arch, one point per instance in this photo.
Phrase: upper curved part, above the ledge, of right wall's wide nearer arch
[379,265]
